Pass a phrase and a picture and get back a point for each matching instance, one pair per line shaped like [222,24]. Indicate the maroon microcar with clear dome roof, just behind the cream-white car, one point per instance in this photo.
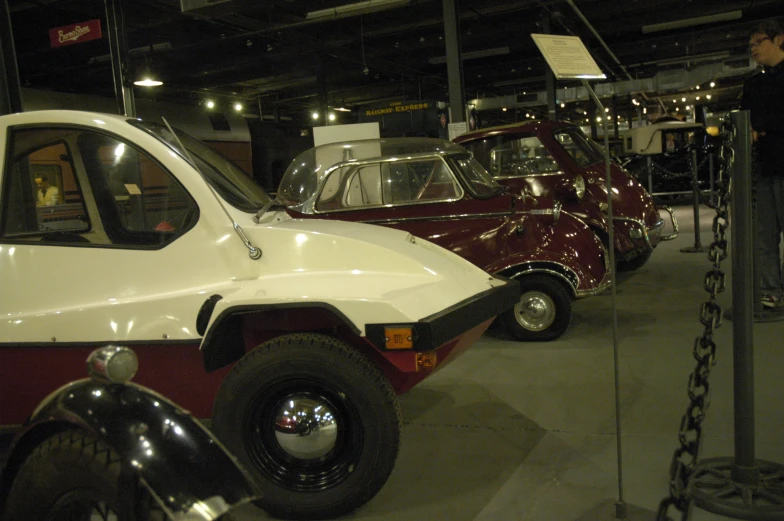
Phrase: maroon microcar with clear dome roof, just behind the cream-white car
[435,190]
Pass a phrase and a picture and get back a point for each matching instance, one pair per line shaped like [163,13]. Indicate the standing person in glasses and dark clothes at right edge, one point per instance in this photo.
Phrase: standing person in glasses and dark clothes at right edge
[763,96]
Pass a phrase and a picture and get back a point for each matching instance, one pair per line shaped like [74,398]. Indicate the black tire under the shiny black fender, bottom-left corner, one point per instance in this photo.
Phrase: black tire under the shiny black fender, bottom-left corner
[70,474]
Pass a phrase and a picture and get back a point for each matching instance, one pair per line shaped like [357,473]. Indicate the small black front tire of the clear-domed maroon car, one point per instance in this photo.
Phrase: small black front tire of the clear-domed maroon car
[556,299]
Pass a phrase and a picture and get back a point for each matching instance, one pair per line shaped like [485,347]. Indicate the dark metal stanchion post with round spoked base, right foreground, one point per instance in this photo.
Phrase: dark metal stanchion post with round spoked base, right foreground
[742,486]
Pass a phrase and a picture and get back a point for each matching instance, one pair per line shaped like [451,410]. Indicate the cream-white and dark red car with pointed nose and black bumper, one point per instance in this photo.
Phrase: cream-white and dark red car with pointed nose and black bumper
[294,335]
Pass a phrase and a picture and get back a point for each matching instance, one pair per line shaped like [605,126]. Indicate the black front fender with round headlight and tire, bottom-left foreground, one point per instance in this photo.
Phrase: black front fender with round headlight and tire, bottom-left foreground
[106,448]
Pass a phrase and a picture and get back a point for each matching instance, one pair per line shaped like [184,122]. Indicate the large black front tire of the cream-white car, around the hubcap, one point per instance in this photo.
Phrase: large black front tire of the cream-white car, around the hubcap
[365,408]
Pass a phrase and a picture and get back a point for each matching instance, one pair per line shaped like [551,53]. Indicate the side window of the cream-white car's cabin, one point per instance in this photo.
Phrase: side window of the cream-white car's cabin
[103,183]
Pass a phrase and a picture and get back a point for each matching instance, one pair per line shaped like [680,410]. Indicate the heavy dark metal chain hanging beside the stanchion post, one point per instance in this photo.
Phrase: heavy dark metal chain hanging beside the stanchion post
[685,457]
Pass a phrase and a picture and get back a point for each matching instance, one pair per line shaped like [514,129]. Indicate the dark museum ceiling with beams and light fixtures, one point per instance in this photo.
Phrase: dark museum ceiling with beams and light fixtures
[270,54]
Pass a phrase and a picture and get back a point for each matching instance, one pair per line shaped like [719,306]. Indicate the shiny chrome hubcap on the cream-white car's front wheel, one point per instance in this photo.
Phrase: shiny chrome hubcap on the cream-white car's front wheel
[305,426]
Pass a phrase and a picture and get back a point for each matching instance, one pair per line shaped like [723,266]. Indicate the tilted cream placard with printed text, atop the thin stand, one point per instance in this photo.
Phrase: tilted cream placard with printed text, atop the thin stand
[567,57]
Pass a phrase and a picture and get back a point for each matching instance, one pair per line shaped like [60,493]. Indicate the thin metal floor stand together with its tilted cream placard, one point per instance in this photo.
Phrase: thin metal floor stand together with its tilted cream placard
[570,60]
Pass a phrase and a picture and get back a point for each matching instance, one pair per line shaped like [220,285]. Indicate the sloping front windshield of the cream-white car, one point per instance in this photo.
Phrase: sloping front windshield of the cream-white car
[233,185]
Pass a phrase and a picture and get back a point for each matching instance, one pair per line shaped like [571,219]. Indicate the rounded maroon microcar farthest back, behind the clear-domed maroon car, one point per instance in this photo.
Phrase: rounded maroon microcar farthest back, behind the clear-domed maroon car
[555,159]
